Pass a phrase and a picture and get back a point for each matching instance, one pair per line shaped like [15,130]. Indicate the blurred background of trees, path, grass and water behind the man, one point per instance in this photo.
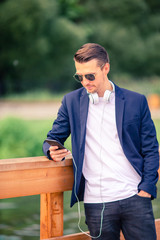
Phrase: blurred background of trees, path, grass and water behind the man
[37,42]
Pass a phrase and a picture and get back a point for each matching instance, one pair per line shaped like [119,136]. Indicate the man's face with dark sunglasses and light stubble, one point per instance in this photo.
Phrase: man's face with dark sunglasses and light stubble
[100,83]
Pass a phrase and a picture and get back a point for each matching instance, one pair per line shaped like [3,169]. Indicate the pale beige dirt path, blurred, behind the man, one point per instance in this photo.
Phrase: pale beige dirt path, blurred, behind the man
[39,110]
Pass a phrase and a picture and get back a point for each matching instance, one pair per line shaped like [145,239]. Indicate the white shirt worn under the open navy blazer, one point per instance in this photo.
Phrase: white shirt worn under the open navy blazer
[109,176]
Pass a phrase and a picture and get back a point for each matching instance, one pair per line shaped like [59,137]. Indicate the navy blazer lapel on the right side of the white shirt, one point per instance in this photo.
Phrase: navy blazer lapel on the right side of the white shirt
[119,105]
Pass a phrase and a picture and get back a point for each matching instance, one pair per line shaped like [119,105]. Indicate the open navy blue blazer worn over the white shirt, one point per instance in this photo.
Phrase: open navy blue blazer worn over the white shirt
[136,132]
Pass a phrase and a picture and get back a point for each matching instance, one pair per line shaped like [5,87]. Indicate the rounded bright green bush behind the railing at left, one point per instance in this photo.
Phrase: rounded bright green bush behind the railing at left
[17,139]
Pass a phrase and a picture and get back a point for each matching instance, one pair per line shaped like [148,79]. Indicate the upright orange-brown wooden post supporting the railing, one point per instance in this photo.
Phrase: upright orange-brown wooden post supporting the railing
[51,219]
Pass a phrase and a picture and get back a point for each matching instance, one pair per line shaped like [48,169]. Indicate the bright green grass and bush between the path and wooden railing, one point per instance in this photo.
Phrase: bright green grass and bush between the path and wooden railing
[24,138]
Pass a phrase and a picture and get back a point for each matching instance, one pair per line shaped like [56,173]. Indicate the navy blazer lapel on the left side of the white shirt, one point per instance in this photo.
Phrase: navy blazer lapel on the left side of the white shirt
[84,103]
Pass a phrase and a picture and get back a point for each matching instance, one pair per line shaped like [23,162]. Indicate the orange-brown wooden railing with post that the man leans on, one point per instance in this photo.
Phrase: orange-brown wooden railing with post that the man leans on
[37,175]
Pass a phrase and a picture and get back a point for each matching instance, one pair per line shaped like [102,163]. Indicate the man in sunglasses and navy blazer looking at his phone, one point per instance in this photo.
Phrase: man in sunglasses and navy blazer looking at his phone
[114,148]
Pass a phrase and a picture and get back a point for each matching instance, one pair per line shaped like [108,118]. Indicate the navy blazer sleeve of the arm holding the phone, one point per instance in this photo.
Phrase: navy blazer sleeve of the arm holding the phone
[61,128]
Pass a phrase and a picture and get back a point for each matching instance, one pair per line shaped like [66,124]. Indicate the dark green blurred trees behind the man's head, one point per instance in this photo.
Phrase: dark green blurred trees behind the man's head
[39,38]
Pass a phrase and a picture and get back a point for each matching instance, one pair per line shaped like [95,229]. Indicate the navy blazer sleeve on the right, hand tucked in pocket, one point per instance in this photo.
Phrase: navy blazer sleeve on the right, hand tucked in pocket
[149,151]
